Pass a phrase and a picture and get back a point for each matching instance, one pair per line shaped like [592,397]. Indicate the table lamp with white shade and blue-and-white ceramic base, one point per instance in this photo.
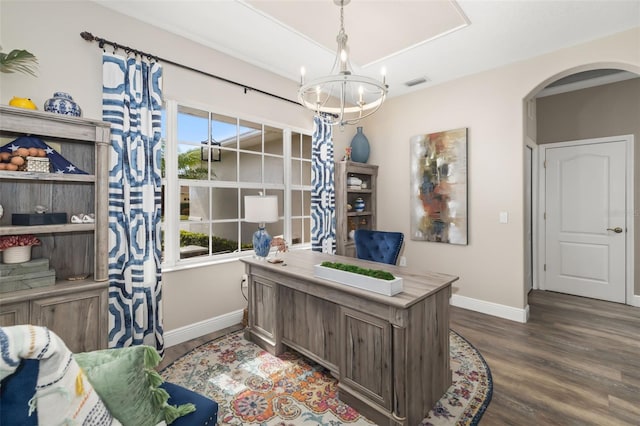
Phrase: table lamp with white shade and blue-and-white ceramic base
[261,209]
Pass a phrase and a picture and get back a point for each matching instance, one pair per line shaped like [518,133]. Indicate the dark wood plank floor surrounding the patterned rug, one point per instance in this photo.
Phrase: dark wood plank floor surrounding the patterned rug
[576,362]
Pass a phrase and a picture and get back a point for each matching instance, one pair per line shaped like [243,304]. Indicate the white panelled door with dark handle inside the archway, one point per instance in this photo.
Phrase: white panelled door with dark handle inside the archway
[585,220]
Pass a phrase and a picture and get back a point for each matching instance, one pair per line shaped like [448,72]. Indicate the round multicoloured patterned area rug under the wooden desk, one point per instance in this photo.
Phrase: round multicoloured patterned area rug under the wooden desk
[253,387]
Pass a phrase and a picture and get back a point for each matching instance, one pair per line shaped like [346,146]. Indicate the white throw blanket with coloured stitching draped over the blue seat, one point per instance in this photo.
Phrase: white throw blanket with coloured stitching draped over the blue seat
[63,394]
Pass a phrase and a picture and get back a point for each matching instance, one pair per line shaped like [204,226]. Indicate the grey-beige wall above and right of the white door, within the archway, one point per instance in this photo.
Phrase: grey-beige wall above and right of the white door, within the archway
[608,110]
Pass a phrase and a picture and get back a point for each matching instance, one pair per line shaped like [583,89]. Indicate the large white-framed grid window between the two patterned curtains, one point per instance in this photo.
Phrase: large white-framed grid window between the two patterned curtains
[211,161]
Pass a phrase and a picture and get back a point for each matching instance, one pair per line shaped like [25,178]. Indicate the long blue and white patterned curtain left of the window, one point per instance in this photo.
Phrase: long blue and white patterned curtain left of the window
[132,103]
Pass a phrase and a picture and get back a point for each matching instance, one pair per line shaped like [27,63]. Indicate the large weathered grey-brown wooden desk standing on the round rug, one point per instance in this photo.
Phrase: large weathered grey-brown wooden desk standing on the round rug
[390,354]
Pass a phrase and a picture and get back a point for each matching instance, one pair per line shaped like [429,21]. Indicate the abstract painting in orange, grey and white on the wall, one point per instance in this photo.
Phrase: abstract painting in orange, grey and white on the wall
[439,187]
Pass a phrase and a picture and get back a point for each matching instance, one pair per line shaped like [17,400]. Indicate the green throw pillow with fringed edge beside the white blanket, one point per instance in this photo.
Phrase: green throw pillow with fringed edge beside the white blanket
[127,383]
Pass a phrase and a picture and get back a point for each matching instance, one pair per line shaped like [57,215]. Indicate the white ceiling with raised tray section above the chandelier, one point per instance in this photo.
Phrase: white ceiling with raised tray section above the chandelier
[439,40]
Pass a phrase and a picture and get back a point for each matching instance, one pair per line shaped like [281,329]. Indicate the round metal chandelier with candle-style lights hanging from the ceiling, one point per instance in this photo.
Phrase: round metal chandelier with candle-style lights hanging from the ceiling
[342,97]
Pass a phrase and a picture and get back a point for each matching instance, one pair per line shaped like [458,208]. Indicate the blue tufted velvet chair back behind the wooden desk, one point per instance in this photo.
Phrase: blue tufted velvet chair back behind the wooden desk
[378,246]
